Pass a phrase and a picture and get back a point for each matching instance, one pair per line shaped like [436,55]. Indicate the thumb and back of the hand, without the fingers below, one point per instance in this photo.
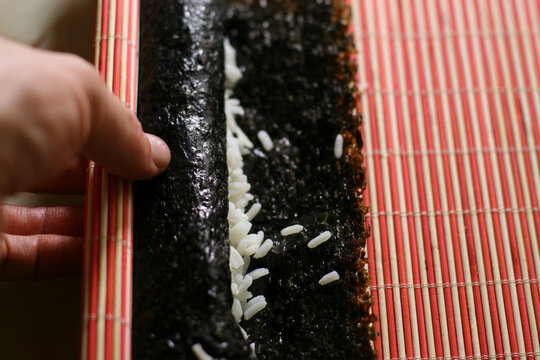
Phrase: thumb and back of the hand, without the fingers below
[54,106]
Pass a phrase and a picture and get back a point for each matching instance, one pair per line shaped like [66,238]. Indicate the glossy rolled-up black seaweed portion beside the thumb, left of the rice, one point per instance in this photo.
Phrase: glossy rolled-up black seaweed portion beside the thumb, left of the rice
[181,280]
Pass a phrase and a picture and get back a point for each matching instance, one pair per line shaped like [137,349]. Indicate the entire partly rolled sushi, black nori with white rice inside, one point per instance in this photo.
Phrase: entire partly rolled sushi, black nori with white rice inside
[252,243]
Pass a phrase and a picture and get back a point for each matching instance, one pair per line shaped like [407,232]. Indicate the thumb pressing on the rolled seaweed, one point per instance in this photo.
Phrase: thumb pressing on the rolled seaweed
[116,140]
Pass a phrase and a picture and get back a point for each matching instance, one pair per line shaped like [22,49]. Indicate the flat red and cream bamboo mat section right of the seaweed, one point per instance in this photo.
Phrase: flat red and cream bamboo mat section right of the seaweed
[452,141]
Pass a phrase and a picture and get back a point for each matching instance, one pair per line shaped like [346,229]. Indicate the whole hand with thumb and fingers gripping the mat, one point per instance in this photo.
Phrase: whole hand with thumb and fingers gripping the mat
[54,107]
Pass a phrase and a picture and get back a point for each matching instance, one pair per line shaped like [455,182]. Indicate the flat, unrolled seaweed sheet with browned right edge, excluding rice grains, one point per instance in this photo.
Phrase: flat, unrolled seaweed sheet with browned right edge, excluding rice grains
[298,85]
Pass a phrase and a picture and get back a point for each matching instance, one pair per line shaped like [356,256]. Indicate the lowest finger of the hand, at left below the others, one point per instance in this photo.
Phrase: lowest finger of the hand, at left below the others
[39,256]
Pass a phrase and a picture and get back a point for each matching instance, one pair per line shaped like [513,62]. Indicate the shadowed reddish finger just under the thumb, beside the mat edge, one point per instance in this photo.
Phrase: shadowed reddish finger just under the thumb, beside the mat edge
[71,181]
